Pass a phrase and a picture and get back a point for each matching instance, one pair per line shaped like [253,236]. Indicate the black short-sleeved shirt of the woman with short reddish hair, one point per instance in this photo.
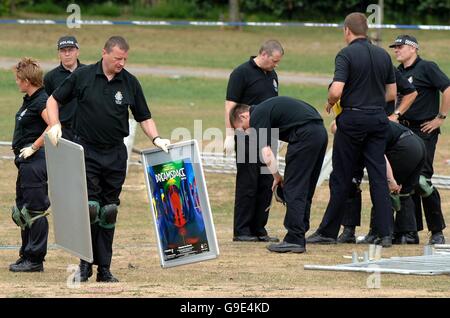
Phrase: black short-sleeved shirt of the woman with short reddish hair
[29,123]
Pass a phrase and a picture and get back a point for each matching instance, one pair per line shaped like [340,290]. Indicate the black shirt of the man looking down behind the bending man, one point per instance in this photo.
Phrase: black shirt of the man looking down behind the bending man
[249,84]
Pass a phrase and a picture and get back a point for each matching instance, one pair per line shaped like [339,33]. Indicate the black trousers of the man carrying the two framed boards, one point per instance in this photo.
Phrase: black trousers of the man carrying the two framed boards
[105,174]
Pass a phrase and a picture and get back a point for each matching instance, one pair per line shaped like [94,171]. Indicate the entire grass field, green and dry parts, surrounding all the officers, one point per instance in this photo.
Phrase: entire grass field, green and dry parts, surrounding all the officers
[242,270]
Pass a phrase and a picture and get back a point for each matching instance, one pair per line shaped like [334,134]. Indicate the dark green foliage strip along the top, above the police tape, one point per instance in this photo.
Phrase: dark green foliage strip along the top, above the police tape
[395,11]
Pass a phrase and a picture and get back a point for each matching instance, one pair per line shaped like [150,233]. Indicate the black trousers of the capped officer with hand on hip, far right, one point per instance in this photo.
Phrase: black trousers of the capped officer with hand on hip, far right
[432,204]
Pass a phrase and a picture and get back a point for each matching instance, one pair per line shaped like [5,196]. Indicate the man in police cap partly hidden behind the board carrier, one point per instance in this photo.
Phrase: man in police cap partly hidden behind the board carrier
[68,52]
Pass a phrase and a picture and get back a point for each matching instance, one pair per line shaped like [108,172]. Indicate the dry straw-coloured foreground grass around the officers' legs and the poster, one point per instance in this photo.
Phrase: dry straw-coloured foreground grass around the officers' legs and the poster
[241,270]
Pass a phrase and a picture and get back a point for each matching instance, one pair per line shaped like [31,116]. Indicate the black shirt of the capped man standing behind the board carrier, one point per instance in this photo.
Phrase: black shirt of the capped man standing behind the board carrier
[52,80]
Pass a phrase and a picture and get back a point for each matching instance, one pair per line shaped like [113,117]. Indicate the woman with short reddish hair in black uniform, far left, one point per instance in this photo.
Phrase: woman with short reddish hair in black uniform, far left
[31,185]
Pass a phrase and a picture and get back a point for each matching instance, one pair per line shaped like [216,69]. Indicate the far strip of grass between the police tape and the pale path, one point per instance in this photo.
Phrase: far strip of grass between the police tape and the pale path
[310,50]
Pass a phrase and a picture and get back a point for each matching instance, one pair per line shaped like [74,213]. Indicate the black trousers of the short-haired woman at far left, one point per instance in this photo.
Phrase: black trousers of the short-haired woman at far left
[32,193]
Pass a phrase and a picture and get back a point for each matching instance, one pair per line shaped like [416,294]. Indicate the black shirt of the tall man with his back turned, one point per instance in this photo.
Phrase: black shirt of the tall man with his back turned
[365,69]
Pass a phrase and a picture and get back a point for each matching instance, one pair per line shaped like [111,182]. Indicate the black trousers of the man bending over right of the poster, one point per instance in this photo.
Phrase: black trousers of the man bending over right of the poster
[304,159]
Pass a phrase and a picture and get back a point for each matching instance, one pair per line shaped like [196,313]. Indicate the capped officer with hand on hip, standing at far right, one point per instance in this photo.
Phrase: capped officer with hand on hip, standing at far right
[424,118]
